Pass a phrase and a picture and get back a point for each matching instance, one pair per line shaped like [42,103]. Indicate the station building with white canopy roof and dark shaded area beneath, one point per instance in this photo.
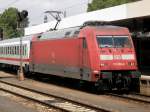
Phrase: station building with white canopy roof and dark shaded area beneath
[135,16]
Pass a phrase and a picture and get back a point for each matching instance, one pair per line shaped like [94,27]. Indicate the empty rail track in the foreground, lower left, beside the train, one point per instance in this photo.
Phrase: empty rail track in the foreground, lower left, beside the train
[57,102]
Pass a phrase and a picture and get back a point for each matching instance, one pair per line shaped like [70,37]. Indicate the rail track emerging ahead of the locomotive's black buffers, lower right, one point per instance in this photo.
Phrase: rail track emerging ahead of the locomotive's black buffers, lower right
[141,98]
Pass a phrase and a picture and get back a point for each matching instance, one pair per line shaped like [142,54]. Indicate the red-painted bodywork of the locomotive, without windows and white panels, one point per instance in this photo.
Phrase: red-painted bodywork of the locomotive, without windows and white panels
[70,53]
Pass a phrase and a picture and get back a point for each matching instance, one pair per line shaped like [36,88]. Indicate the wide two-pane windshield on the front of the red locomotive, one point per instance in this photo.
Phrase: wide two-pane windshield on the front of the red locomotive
[114,41]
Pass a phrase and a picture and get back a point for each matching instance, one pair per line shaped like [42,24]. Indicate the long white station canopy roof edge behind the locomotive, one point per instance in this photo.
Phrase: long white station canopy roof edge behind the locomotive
[121,12]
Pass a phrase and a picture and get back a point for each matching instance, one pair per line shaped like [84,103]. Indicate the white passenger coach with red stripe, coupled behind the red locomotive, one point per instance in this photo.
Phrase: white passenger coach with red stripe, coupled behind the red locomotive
[10,51]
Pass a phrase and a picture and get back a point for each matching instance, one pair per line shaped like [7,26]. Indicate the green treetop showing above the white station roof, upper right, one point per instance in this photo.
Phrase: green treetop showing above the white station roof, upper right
[100,4]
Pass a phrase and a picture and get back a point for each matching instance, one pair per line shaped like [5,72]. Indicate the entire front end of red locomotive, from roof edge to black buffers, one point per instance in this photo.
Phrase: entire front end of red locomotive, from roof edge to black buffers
[113,62]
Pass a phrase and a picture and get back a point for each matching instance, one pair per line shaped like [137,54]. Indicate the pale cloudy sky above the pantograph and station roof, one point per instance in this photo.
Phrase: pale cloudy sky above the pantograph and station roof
[36,8]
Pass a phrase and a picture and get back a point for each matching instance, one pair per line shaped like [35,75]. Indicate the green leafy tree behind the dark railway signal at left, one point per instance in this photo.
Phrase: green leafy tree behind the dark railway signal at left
[9,24]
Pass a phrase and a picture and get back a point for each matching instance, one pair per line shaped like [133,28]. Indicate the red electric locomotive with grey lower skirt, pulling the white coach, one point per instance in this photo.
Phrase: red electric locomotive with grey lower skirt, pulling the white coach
[102,55]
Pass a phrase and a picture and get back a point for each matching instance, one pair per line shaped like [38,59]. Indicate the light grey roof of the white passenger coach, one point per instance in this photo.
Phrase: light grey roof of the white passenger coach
[28,38]
